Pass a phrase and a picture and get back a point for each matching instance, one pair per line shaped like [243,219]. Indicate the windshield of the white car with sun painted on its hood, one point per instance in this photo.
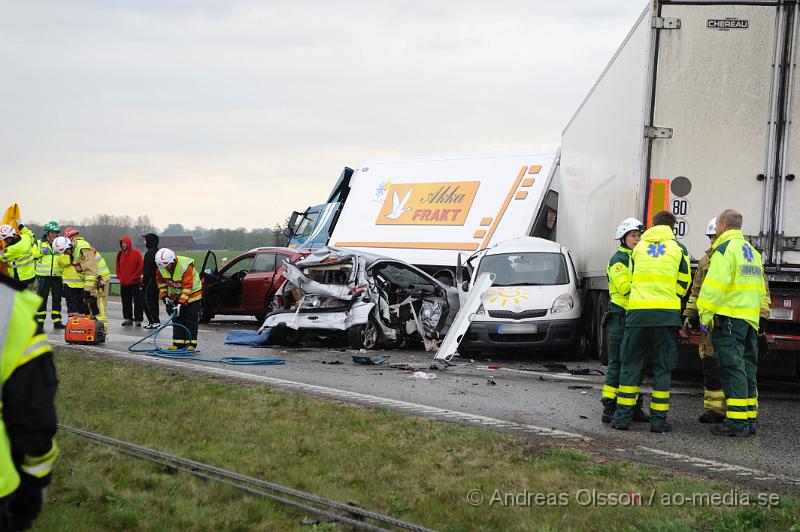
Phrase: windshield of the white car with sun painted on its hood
[520,269]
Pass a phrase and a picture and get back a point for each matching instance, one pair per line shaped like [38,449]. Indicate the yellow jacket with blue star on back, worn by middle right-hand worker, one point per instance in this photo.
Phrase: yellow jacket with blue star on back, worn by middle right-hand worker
[661,273]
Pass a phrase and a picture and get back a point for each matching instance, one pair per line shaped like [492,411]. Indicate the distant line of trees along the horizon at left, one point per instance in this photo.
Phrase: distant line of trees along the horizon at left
[105,230]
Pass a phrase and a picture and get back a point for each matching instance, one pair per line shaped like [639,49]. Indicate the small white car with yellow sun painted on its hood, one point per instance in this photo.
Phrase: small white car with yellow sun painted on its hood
[534,300]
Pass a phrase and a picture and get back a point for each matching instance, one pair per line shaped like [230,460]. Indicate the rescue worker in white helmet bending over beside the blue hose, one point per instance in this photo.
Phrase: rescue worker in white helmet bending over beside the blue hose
[180,288]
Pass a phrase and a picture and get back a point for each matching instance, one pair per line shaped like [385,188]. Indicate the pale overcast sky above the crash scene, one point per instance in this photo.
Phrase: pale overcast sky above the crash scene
[234,113]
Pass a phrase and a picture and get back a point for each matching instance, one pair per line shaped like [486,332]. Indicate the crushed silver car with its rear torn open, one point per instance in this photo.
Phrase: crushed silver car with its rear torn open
[375,301]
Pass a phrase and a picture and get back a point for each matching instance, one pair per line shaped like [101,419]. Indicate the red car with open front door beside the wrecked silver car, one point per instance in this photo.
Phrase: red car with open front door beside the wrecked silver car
[245,285]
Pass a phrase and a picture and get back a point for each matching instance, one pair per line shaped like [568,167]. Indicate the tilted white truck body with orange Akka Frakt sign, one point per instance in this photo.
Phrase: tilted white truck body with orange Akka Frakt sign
[425,211]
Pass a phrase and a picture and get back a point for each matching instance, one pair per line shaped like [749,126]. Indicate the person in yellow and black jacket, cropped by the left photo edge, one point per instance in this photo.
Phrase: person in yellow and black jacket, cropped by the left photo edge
[28,423]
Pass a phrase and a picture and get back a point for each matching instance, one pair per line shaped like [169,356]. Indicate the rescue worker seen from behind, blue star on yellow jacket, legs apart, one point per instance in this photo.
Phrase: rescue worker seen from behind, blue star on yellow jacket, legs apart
[661,278]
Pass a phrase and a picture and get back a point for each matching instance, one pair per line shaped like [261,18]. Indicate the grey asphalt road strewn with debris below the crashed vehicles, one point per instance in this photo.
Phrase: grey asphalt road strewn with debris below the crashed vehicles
[510,393]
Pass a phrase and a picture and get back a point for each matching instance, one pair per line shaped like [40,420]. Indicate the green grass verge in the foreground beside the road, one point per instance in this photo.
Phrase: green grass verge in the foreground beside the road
[414,469]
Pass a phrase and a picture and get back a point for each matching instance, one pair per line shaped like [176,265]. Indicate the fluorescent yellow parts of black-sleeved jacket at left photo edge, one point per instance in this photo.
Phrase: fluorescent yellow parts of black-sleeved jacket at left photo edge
[19,345]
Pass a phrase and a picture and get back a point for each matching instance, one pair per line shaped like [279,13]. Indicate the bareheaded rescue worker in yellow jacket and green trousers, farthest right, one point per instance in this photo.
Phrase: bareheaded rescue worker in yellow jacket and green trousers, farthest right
[730,305]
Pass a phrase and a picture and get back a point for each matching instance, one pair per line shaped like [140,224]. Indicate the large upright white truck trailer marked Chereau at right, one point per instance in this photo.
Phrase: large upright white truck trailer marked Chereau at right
[695,113]
